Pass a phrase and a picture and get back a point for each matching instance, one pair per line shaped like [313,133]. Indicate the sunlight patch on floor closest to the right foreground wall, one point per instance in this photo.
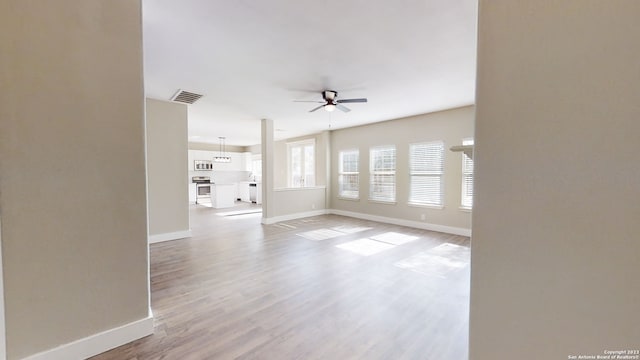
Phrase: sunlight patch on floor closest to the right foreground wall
[438,261]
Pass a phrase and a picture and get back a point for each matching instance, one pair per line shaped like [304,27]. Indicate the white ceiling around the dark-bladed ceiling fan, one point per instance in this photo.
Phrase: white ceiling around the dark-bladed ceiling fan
[252,58]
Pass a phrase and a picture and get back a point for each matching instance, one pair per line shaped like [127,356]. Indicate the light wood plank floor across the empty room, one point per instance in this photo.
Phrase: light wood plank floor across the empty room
[241,290]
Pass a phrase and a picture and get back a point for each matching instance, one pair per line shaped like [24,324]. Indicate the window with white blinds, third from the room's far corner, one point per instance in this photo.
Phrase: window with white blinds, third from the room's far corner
[426,167]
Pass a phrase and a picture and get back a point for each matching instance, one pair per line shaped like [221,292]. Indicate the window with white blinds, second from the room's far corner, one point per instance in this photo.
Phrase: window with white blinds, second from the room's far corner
[382,171]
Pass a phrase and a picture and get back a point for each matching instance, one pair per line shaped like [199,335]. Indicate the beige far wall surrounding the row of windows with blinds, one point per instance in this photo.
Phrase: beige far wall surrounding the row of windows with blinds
[450,126]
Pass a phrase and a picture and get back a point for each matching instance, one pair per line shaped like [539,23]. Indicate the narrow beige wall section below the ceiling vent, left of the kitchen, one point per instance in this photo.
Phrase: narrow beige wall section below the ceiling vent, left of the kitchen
[167,166]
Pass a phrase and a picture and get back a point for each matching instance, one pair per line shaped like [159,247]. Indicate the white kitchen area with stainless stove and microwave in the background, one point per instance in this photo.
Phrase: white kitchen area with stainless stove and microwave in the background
[223,181]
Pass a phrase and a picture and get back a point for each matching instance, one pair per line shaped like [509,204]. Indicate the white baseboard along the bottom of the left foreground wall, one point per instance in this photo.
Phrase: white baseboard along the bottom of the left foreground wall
[98,343]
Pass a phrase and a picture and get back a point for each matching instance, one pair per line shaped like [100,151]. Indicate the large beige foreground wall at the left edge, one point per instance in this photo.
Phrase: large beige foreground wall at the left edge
[72,165]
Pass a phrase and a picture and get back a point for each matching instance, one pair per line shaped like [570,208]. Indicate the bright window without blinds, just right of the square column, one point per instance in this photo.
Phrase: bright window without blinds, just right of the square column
[301,168]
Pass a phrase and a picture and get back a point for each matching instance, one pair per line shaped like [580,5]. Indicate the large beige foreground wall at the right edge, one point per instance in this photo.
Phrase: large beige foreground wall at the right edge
[556,227]
